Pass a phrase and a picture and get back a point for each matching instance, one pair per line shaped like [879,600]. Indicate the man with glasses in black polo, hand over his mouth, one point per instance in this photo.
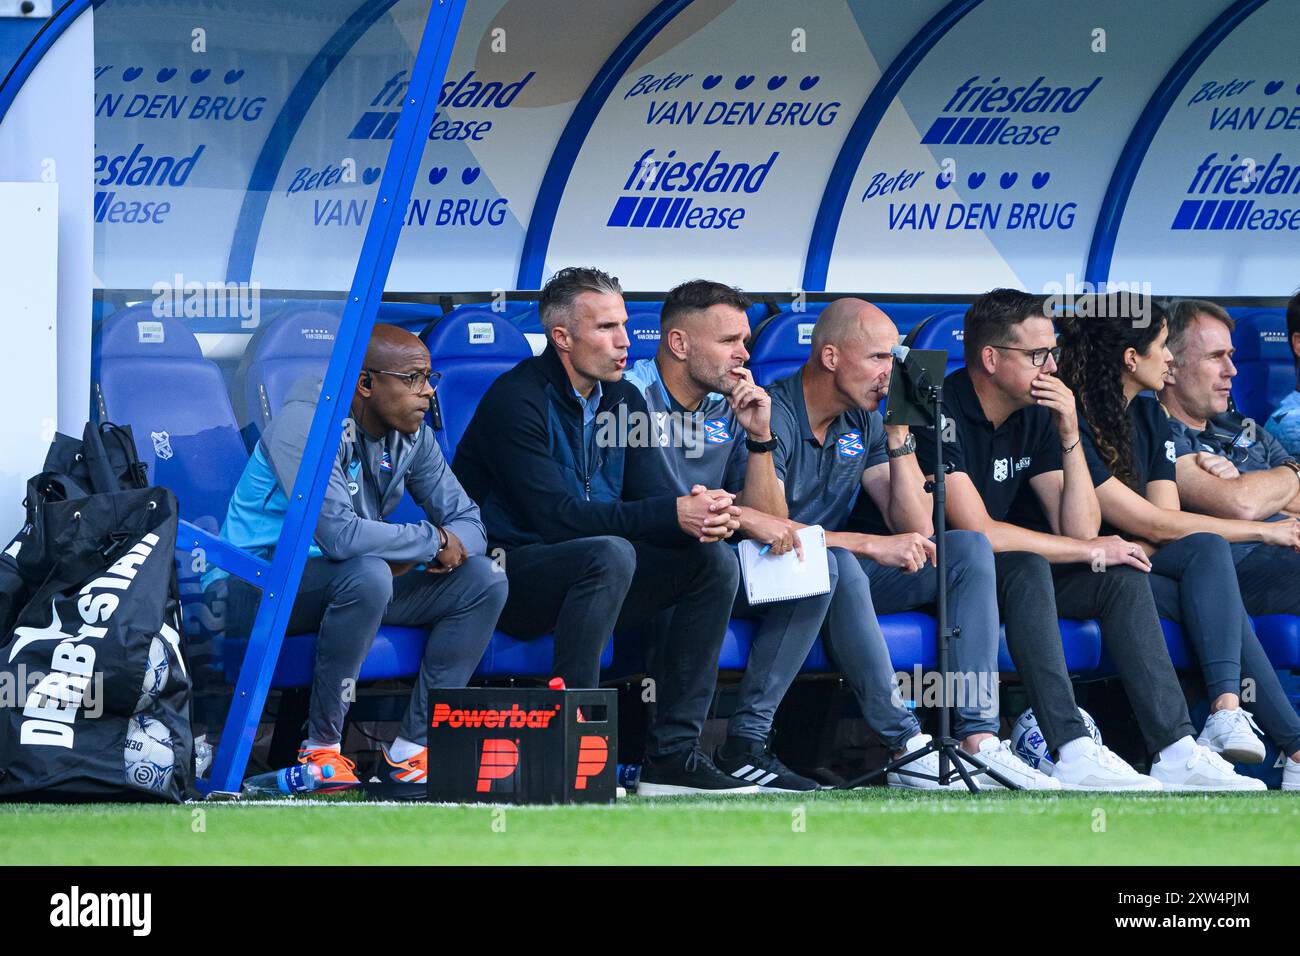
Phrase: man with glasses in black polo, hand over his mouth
[1019,475]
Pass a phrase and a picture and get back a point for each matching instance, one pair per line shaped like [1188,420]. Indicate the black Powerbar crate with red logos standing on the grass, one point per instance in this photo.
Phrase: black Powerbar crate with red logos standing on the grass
[523,746]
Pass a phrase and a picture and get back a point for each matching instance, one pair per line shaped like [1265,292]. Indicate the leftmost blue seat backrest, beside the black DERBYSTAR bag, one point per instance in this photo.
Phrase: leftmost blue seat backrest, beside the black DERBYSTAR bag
[155,379]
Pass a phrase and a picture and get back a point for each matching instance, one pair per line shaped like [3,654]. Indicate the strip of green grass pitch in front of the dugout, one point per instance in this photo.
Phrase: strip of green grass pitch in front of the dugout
[873,828]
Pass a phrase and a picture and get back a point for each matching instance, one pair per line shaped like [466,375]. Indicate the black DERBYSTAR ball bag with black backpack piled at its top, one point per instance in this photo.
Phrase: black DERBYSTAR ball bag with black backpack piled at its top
[94,682]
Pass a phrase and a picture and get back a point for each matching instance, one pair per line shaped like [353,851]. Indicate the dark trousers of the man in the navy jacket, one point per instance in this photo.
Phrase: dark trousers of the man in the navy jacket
[587,589]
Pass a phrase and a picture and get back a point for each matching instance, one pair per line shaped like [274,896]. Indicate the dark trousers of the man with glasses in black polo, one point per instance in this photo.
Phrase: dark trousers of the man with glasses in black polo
[1033,595]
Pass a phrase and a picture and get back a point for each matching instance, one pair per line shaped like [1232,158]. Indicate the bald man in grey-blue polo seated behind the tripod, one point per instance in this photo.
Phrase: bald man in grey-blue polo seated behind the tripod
[833,445]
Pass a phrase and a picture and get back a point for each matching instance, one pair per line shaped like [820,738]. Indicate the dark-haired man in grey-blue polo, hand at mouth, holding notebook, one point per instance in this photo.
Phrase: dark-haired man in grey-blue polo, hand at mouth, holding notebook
[714,426]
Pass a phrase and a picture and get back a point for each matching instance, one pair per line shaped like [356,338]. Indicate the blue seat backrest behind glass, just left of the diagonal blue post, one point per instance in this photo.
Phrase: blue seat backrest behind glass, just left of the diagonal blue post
[296,347]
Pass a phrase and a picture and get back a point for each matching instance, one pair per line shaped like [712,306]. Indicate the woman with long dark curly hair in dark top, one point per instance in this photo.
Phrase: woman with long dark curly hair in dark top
[1110,362]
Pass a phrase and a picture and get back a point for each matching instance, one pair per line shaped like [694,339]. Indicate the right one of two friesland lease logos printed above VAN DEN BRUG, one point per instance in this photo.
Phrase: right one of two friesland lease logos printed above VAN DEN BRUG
[998,113]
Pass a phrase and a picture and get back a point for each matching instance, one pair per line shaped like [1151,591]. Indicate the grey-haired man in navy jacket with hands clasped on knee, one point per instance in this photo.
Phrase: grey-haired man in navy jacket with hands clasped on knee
[560,456]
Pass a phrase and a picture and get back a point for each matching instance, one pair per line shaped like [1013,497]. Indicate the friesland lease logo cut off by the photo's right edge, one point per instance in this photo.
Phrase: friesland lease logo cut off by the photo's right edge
[1234,189]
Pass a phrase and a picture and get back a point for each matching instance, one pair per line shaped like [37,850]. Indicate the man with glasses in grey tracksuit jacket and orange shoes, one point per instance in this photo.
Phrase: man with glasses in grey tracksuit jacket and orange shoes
[362,570]
